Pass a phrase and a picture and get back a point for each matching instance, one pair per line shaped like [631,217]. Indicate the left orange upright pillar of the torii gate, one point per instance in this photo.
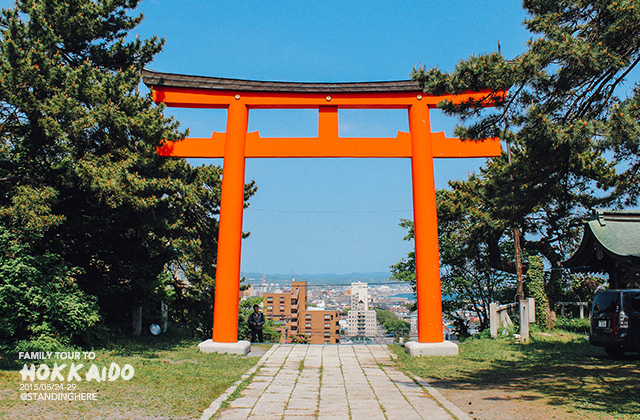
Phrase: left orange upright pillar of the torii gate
[225,311]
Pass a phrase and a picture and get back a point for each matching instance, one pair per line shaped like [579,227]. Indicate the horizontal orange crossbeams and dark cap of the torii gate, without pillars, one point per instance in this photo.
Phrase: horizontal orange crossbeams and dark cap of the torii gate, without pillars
[214,92]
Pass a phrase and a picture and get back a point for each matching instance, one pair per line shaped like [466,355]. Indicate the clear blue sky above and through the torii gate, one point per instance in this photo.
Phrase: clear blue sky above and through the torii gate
[314,216]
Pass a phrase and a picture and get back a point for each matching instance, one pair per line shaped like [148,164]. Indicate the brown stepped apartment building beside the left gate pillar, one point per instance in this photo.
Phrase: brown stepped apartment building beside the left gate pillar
[290,312]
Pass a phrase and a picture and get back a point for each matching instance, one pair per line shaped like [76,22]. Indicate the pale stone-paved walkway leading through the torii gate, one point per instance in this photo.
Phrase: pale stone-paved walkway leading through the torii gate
[331,382]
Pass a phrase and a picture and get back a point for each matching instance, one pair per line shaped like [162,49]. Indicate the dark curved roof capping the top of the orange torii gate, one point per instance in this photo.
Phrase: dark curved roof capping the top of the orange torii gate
[159,79]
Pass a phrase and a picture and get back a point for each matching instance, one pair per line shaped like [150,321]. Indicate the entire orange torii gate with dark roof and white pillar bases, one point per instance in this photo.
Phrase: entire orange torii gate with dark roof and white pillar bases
[234,146]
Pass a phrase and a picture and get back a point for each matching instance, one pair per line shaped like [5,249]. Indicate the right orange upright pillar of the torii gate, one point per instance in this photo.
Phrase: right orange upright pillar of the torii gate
[425,226]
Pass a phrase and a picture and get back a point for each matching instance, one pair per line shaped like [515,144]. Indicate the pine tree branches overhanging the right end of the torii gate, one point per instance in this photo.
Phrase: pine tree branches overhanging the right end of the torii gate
[573,139]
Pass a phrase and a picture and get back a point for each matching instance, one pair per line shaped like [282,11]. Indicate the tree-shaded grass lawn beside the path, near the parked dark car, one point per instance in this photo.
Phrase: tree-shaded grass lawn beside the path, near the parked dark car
[560,370]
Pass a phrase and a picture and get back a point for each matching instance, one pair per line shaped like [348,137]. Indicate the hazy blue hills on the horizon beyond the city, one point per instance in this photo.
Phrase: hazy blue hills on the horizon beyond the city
[328,278]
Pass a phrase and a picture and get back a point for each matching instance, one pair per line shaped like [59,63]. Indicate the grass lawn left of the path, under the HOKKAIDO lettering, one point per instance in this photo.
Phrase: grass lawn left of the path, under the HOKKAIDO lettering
[172,380]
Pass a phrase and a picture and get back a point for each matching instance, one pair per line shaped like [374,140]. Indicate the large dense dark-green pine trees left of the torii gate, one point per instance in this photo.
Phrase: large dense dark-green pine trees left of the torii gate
[80,178]
